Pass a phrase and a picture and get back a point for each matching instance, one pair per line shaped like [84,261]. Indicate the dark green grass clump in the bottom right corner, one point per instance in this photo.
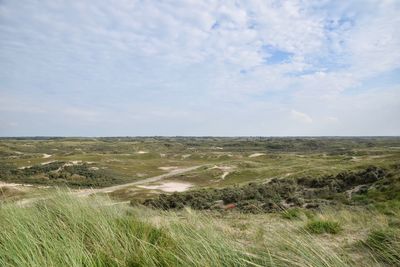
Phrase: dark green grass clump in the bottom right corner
[385,245]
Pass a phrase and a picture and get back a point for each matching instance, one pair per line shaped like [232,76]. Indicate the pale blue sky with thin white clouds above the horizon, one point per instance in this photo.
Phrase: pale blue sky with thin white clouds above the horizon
[222,68]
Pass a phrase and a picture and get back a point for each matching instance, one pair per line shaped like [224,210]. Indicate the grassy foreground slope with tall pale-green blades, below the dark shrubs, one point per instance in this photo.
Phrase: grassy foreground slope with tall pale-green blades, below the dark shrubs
[65,231]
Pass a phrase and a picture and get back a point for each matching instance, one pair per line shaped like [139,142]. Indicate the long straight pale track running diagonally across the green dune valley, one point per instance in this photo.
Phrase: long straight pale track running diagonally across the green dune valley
[87,192]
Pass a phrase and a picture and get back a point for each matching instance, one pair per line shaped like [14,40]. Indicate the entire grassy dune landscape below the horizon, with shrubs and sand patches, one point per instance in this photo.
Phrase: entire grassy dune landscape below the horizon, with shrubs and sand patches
[250,201]
